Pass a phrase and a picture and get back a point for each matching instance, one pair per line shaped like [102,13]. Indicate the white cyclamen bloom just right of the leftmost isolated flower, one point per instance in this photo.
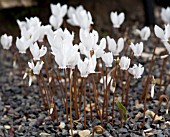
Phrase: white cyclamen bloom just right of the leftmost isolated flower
[22,44]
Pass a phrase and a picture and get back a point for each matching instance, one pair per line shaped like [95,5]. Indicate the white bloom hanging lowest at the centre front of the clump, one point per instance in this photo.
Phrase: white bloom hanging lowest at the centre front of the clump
[87,66]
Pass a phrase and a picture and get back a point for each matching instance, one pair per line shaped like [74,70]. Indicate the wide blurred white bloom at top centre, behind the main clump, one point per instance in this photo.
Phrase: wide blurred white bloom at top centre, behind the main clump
[79,17]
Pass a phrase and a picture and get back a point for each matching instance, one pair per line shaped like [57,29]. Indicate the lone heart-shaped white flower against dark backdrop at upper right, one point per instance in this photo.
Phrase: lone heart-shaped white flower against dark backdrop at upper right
[116,19]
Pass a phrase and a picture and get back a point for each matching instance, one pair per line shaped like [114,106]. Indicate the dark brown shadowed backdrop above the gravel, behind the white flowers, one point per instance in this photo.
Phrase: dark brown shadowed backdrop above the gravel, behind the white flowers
[137,12]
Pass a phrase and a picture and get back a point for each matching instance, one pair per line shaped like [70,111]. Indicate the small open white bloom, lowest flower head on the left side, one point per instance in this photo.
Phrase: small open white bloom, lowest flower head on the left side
[36,68]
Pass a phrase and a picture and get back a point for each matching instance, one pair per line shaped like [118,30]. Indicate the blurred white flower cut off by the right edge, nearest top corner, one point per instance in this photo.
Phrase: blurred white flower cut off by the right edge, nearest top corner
[165,15]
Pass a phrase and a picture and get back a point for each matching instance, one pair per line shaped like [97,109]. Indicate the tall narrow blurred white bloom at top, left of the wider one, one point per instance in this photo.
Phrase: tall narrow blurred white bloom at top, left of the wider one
[58,12]
